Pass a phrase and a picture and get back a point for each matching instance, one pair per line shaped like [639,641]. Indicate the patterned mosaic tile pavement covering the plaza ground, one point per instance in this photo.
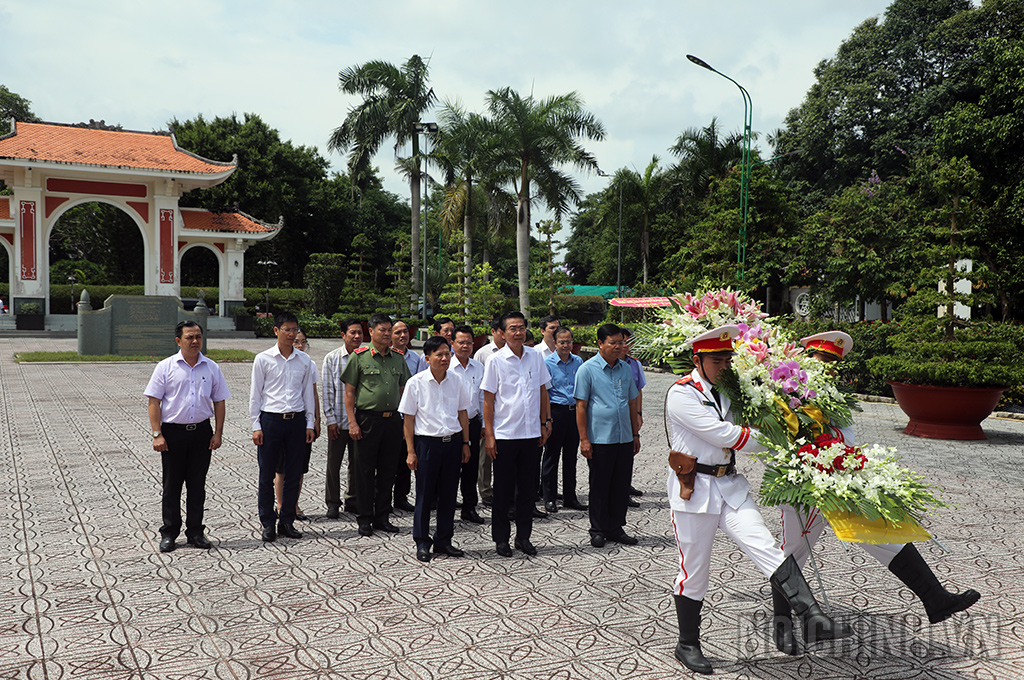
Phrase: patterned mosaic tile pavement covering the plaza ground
[86,593]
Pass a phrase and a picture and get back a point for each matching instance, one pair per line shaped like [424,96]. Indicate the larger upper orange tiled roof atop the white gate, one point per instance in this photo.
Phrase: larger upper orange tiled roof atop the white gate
[64,144]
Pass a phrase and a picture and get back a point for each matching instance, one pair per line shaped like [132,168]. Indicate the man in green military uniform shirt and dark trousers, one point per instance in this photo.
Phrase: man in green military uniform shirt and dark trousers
[374,378]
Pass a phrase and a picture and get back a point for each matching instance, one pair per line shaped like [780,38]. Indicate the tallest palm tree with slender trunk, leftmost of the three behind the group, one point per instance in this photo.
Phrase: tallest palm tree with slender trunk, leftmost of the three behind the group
[394,99]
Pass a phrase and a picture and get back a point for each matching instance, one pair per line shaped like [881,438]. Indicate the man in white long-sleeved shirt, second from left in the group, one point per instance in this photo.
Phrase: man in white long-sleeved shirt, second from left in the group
[283,413]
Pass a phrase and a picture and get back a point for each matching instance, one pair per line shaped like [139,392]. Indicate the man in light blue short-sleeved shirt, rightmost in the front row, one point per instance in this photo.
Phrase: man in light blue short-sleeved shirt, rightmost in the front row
[608,421]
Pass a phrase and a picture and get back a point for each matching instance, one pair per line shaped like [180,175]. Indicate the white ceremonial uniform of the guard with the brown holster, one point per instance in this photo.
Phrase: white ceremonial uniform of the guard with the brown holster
[700,428]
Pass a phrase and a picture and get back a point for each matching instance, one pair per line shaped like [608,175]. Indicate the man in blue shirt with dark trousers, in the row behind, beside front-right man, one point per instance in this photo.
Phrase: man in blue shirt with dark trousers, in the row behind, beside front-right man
[565,441]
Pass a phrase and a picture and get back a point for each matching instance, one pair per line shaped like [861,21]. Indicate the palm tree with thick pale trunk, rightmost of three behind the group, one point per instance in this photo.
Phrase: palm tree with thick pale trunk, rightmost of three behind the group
[535,139]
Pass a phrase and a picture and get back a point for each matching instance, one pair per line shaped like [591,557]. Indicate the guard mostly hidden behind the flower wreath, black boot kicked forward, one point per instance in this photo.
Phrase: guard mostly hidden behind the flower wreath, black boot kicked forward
[800,535]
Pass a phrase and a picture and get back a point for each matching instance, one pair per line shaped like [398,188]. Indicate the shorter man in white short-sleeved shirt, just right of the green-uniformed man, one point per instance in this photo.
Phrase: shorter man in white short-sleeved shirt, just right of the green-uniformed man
[437,431]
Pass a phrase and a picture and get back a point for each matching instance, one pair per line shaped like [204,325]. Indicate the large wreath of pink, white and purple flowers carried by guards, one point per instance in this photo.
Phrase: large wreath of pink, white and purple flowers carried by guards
[796,403]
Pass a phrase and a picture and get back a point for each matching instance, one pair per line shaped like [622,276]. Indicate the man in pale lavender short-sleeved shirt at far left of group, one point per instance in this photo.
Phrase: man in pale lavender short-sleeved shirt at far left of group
[185,393]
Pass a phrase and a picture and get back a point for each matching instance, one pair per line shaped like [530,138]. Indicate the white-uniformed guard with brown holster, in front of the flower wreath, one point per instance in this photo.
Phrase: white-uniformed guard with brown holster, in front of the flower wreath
[707,494]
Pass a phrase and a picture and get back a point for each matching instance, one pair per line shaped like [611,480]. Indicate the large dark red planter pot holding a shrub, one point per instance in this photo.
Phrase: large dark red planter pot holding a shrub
[946,413]
